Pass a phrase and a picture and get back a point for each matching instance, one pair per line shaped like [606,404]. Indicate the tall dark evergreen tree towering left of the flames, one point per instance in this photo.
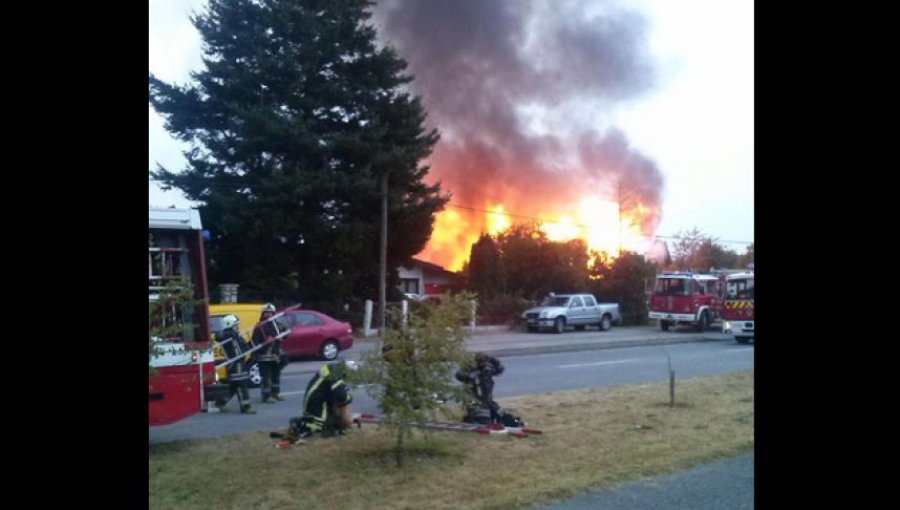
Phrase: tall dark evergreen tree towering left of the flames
[293,120]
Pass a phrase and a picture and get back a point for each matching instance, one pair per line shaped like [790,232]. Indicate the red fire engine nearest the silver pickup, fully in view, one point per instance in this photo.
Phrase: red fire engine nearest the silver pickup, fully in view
[687,298]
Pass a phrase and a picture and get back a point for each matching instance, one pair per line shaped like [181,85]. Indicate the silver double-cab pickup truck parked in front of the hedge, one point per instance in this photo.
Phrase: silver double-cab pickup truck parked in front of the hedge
[578,310]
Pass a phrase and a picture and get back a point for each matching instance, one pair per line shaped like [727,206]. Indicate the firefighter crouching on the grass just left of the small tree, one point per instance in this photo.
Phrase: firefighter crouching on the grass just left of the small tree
[326,405]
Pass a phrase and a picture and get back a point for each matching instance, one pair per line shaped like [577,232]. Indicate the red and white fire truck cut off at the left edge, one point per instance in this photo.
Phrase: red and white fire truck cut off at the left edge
[183,372]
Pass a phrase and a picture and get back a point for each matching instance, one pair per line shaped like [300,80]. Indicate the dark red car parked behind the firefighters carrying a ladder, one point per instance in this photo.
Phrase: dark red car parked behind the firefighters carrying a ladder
[315,334]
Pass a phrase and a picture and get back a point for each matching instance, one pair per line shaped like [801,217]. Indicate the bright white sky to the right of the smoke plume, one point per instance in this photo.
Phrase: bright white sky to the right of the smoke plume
[699,125]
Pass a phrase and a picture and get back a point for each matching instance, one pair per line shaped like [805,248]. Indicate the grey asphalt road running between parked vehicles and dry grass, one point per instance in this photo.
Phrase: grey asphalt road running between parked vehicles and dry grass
[567,361]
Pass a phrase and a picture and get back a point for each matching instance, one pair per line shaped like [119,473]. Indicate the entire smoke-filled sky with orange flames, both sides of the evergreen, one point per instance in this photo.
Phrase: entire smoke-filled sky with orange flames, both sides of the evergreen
[534,98]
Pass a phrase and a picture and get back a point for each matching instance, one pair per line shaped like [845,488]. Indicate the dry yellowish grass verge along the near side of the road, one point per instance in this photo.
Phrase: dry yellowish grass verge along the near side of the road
[593,438]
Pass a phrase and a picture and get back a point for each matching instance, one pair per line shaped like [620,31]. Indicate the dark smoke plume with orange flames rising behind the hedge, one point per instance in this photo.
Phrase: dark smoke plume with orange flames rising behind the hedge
[521,93]
